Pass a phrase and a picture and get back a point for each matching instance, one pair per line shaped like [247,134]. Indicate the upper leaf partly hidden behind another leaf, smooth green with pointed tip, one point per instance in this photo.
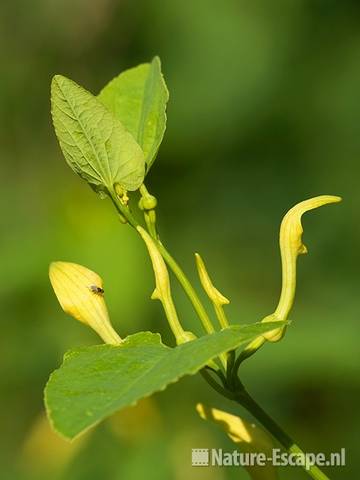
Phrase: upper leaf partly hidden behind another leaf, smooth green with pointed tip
[138,98]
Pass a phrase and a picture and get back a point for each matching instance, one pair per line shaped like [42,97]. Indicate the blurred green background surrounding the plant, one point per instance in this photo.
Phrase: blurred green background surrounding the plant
[264,112]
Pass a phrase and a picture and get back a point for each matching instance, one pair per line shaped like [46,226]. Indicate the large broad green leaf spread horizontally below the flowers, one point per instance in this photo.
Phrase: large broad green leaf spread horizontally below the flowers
[94,382]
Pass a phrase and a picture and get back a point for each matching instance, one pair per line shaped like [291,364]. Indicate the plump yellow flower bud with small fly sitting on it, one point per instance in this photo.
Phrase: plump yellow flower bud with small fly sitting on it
[81,295]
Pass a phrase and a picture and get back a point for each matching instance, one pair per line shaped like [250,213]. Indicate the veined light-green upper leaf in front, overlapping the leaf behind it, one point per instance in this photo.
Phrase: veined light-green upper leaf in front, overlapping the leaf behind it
[95,143]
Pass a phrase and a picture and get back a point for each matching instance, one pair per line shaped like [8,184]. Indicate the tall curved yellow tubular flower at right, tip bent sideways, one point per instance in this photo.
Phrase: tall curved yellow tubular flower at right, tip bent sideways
[291,247]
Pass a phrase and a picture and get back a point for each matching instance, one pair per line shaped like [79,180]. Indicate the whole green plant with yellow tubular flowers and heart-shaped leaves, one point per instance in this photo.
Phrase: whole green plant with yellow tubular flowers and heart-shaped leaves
[111,141]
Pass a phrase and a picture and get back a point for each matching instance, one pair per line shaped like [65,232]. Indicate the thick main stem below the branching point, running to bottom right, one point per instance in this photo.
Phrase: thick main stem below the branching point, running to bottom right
[244,399]
